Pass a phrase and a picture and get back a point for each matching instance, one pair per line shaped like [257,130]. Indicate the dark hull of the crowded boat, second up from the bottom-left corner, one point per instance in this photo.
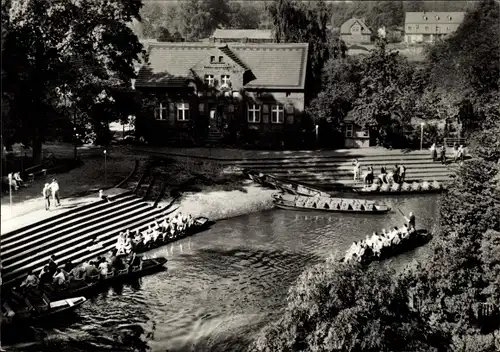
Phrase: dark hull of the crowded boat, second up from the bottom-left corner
[91,285]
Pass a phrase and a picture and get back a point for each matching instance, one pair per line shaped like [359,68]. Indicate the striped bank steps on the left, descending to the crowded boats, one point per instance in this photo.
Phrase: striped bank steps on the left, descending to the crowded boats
[81,233]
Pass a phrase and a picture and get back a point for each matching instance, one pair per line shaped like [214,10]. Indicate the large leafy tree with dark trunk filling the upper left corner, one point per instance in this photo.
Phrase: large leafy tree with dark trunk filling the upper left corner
[53,50]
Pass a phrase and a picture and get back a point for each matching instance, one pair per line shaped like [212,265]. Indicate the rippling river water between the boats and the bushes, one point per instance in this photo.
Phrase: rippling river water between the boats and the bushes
[221,285]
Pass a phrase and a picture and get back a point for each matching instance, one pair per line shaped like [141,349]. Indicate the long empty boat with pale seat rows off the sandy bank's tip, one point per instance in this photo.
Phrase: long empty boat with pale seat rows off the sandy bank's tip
[329,204]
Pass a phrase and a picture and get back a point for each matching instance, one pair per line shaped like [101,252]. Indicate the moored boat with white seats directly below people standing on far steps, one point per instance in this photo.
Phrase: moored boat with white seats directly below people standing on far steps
[401,188]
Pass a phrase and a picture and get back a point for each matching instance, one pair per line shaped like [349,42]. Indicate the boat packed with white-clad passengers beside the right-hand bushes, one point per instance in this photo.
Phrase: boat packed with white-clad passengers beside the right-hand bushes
[386,244]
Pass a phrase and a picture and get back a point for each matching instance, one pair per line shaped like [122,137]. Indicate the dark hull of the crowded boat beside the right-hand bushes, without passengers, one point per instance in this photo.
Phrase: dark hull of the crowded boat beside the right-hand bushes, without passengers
[415,240]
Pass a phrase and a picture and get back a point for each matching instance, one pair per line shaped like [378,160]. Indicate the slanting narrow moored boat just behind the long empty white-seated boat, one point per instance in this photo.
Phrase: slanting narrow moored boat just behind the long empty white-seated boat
[285,186]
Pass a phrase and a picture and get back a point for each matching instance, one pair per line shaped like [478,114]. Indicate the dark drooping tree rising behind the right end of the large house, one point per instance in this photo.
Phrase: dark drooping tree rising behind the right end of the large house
[295,22]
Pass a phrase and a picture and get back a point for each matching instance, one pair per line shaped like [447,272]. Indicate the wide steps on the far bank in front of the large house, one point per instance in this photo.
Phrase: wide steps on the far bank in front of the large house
[336,171]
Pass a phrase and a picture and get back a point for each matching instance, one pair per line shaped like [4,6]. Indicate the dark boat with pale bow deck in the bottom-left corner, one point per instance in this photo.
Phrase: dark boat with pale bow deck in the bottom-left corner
[22,310]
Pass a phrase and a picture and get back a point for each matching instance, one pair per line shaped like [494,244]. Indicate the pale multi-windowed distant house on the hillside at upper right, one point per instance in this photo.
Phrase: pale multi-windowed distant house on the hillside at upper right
[425,27]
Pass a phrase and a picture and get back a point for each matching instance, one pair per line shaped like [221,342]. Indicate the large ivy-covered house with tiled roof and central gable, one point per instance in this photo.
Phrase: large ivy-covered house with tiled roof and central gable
[203,90]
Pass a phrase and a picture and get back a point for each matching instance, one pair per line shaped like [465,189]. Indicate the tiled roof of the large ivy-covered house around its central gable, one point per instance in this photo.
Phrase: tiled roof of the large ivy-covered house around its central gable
[278,66]
